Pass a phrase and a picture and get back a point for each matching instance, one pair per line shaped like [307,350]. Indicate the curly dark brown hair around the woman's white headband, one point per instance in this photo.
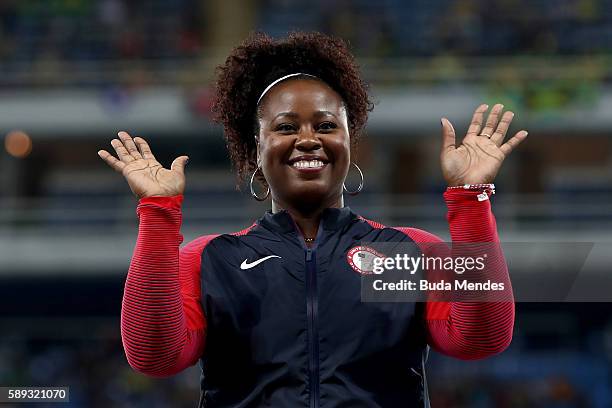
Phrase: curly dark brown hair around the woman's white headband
[260,60]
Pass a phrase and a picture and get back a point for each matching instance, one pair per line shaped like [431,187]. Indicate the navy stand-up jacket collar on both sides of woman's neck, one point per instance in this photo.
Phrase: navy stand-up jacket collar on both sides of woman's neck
[331,219]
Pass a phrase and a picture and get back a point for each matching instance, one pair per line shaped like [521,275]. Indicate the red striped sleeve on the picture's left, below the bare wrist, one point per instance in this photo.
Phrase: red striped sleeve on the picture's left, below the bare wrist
[162,322]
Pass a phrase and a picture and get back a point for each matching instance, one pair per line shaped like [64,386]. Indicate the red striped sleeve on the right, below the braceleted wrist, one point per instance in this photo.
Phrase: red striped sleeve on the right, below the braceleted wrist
[468,330]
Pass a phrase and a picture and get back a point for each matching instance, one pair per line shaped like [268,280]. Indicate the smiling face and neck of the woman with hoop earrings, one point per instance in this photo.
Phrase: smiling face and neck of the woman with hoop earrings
[303,146]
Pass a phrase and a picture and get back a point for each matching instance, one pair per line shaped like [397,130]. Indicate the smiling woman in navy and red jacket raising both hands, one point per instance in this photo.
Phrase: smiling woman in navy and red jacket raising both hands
[273,312]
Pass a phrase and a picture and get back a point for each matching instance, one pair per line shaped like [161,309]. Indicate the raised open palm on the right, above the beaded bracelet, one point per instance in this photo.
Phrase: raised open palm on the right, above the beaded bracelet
[480,155]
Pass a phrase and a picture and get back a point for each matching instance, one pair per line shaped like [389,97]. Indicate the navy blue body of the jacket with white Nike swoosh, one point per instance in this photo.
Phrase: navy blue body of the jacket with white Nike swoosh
[291,330]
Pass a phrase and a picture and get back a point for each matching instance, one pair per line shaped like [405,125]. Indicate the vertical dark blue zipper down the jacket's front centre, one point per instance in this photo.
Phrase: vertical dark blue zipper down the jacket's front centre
[312,307]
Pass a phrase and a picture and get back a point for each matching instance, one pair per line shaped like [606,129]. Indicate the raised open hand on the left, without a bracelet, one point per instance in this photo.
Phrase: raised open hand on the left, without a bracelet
[145,176]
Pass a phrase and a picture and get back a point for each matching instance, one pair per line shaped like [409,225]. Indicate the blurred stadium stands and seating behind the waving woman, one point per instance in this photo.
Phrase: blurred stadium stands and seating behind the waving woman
[74,72]
